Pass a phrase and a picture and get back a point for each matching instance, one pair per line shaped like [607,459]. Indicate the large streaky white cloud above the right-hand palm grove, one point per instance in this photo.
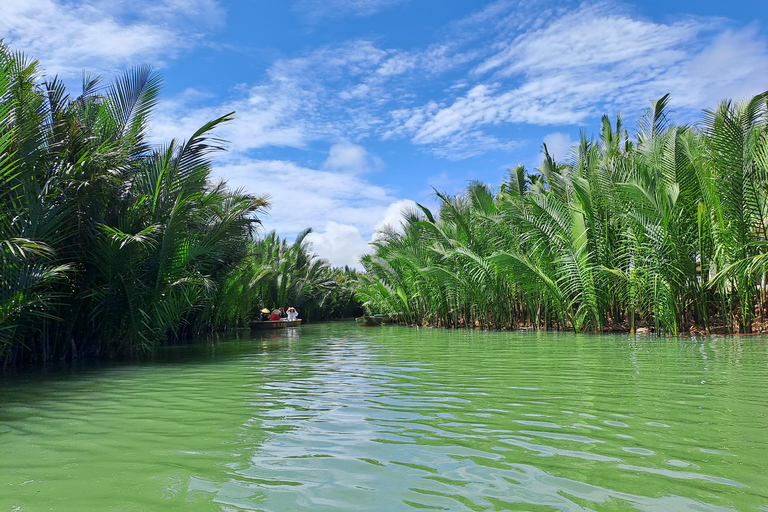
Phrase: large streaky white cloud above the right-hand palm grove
[582,63]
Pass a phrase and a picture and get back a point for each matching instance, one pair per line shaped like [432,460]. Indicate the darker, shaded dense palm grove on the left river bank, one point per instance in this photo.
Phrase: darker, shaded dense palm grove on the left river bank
[112,245]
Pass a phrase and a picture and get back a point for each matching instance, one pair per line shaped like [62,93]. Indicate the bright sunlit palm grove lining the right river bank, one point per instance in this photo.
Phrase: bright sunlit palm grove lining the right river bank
[662,228]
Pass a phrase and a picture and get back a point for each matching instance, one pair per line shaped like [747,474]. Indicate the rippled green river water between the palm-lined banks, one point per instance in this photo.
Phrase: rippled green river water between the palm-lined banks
[340,418]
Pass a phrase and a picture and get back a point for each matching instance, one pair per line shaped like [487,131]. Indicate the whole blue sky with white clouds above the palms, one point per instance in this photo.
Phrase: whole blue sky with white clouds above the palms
[349,110]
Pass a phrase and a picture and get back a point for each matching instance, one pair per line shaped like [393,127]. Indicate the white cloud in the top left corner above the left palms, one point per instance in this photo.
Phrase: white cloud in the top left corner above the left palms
[100,36]
